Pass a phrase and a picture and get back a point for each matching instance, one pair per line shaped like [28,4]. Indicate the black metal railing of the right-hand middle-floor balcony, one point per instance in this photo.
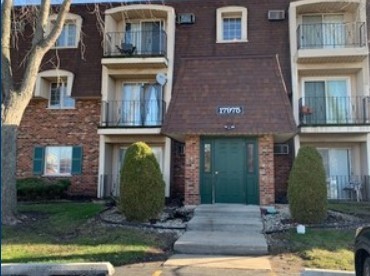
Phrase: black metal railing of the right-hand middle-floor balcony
[334,110]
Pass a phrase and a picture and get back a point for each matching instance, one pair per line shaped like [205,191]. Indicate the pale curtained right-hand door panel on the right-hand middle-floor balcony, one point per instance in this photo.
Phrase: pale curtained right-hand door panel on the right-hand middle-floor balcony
[338,103]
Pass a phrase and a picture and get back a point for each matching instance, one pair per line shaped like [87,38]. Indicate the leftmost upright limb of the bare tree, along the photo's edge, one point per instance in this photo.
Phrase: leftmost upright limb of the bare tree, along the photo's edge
[6,70]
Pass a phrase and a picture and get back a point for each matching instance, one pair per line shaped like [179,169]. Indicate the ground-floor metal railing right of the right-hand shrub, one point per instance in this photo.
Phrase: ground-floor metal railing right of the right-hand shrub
[348,187]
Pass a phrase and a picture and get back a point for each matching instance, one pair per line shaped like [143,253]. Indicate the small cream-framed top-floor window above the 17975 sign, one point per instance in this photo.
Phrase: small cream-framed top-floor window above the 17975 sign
[232,24]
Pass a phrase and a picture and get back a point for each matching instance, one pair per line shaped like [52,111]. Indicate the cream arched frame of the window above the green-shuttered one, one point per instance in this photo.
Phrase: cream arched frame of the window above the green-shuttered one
[45,78]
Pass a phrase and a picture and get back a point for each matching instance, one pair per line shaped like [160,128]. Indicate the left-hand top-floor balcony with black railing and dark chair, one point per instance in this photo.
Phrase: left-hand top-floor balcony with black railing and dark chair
[136,47]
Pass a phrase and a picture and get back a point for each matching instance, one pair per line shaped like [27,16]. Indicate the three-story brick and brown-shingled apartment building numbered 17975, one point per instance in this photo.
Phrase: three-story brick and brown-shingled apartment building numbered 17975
[224,92]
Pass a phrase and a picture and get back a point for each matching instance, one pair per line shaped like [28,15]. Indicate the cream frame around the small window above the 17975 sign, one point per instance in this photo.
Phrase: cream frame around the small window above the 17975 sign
[231,12]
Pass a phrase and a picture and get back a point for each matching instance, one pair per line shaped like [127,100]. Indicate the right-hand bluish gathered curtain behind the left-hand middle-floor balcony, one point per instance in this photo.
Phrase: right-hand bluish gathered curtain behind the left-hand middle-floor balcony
[152,113]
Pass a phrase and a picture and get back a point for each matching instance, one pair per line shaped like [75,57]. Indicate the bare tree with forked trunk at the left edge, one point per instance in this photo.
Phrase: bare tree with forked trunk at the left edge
[14,102]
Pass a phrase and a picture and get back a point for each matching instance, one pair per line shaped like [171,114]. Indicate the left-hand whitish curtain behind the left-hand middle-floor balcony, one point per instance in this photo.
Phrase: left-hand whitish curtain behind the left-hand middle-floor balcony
[130,105]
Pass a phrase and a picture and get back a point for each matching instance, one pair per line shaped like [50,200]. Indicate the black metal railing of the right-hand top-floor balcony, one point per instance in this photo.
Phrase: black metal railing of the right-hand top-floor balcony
[331,35]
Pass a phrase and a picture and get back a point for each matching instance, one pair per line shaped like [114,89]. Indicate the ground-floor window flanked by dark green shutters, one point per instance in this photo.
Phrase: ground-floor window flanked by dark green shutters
[57,160]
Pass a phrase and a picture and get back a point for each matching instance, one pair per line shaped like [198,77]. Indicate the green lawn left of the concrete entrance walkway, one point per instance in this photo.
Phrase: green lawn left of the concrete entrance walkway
[62,232]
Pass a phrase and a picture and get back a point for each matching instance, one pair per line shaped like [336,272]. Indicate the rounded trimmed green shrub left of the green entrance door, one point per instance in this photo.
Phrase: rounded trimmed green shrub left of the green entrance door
[142,186]
